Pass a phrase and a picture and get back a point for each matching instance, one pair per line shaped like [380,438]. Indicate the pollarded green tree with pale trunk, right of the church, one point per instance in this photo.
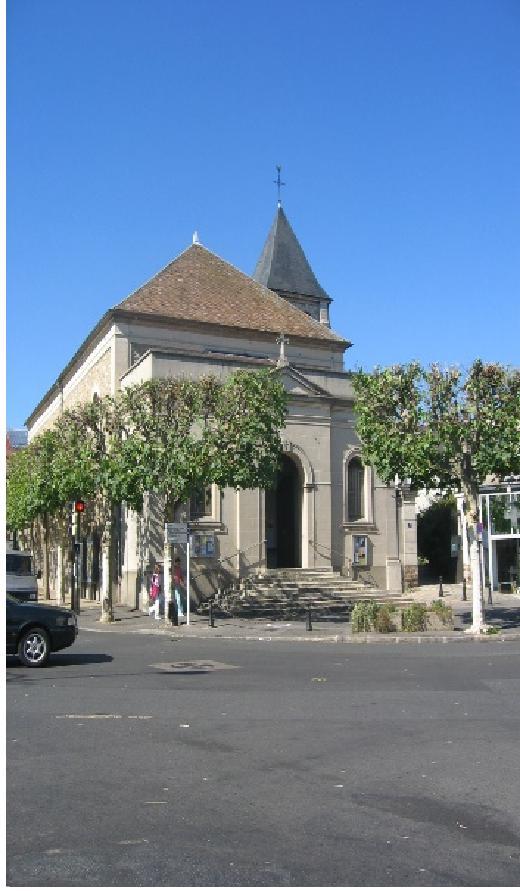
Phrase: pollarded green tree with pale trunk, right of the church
[442,429]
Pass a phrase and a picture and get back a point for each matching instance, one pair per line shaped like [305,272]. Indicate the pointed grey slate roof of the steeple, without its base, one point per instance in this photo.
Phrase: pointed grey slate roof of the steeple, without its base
[283,265]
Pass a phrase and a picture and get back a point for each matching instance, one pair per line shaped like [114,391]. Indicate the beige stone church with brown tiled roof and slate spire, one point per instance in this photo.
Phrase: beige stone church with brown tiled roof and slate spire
[200,315]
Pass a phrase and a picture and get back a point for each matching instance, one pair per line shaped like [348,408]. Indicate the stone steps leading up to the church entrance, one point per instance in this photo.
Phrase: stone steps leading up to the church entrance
[287,594]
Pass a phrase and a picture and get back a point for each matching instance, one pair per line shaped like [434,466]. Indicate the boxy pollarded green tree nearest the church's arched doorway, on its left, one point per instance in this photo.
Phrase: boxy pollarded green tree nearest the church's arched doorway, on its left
[187,434]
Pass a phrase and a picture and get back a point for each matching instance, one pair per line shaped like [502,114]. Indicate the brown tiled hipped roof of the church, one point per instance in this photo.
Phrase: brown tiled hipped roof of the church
[198,286]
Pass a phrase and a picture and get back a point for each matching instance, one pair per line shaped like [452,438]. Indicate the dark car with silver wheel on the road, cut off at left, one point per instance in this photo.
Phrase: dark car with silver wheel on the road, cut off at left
[34,631]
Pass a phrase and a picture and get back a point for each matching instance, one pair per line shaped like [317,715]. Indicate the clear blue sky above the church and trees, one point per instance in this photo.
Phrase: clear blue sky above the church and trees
[133,122]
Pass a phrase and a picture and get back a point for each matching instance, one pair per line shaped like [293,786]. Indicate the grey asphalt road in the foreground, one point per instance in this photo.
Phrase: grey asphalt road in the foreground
[140,760]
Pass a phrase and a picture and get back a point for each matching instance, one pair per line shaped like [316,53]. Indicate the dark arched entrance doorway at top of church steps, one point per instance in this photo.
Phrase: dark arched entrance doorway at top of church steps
[283,517]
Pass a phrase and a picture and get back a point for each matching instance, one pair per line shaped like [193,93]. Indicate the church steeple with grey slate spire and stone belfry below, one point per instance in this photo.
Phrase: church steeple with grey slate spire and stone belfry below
[284,268]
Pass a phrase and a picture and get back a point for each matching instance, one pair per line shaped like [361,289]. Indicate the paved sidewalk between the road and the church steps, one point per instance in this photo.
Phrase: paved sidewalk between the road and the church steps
[504,614]
